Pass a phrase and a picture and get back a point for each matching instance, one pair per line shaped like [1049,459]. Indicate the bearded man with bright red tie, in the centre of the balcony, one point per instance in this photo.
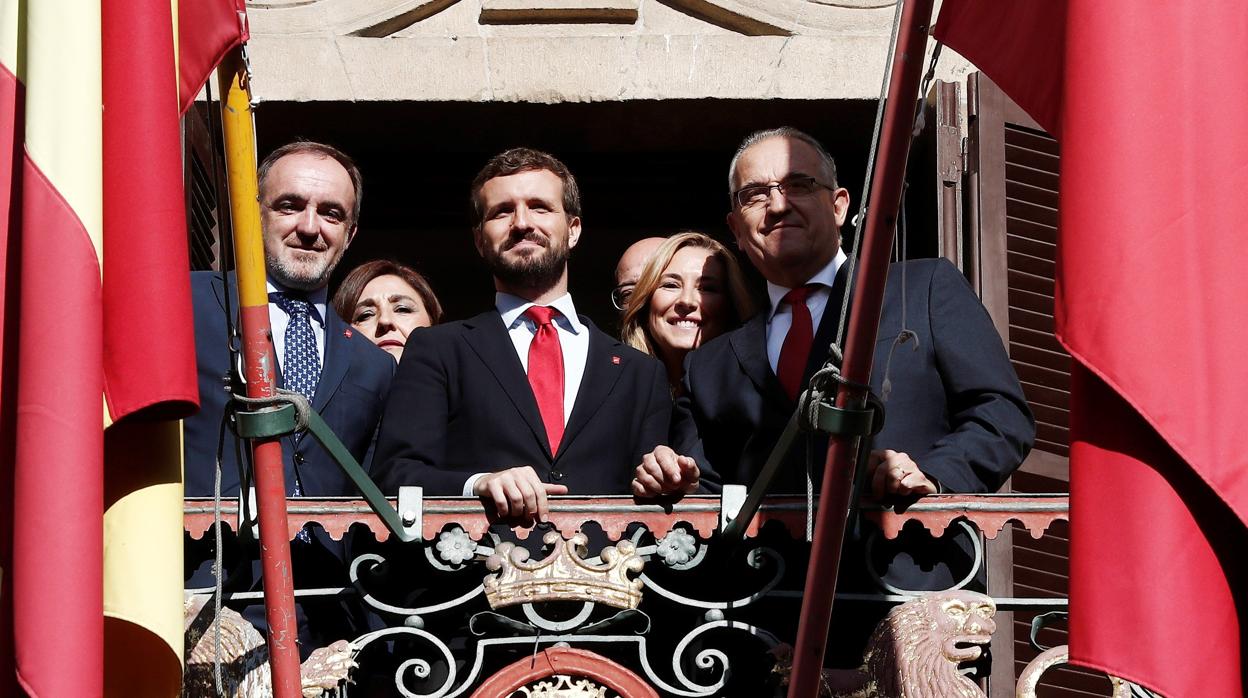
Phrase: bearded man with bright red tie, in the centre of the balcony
[529,399]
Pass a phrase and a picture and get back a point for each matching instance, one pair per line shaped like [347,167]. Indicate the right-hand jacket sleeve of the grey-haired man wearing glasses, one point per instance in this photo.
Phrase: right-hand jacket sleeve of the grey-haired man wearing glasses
[992,428]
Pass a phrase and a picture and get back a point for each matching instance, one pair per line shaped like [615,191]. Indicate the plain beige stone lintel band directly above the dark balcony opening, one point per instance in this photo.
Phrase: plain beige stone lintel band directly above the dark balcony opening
[578,69]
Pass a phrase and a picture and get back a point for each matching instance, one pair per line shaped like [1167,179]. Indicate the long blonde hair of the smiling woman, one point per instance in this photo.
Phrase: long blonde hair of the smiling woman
[635,325]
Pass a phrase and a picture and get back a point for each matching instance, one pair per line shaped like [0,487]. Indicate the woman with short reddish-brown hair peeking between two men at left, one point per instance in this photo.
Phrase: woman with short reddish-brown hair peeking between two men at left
[386,302]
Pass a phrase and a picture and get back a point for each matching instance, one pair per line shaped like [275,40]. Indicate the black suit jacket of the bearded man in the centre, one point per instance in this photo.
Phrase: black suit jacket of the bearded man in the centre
[462,405]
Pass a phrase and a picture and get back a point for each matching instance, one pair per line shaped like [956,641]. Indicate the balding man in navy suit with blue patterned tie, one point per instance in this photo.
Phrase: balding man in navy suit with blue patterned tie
[310,208]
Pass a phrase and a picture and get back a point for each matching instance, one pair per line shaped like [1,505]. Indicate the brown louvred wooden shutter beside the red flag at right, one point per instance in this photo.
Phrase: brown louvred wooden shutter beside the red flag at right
[1009,253]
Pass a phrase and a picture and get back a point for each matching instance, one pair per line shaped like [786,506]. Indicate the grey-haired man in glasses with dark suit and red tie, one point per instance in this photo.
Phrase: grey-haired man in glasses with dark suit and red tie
[957,416]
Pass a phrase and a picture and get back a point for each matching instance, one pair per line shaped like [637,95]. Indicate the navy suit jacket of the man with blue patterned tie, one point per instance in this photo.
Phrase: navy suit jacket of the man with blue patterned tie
[355,381]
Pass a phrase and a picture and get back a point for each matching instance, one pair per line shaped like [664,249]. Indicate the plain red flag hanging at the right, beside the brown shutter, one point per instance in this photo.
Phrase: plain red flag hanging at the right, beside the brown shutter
[1151,303]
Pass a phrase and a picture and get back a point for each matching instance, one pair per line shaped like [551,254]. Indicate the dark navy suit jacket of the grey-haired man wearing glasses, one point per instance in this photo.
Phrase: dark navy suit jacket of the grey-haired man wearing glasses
[954,403]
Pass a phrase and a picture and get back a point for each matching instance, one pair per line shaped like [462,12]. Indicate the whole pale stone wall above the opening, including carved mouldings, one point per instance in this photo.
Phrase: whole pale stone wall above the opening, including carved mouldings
[552,52]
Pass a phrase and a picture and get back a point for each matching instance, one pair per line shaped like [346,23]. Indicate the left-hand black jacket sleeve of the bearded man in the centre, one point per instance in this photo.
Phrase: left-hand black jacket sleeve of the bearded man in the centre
[411,441]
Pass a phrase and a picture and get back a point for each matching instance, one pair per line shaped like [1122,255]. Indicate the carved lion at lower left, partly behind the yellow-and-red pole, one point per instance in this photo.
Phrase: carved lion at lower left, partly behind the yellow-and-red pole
[245,671]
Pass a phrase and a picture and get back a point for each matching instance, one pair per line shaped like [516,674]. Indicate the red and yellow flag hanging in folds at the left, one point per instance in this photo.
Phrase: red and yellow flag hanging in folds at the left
[97,342]
